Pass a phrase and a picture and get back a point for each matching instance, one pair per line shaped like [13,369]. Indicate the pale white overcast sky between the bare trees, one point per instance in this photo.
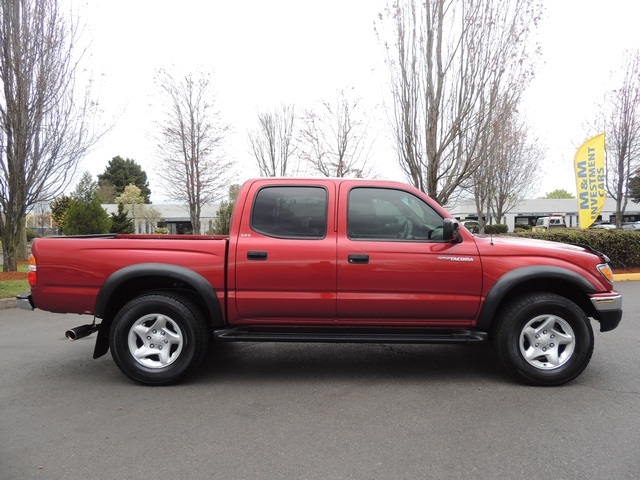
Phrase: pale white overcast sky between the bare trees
[264,53]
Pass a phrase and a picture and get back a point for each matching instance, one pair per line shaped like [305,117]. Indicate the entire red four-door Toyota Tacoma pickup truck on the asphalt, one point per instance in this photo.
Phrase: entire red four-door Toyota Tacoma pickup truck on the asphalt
[320,260]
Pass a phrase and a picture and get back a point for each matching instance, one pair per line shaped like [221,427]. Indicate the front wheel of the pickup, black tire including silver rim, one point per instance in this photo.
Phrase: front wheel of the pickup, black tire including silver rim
[544,339]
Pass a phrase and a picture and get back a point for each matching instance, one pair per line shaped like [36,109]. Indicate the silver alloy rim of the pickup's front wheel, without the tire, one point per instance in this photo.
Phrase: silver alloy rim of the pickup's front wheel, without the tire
[547,342]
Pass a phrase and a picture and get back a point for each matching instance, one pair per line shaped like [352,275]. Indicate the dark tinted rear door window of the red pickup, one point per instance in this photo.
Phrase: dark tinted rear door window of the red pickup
[290,212]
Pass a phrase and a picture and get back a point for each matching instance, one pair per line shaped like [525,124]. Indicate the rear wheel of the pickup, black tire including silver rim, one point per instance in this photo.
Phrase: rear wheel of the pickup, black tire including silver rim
[157,339]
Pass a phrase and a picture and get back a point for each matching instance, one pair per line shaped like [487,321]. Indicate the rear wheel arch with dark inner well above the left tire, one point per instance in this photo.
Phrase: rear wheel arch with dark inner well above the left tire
[134,280]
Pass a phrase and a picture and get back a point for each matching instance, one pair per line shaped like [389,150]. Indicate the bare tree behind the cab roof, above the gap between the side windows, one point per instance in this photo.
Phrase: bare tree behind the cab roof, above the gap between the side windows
[334,139]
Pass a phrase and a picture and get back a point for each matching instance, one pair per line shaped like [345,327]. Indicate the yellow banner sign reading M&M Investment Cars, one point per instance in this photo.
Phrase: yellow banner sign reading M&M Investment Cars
[590,179]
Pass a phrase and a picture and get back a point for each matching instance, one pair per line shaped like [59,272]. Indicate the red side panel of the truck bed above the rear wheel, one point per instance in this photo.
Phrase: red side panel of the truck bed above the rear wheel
[76,267]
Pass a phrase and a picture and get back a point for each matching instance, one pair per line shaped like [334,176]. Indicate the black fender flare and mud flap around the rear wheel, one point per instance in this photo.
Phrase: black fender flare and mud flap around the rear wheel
[201,286]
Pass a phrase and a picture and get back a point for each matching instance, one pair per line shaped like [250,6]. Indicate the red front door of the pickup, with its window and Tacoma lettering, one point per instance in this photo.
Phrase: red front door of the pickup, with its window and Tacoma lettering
[393,265]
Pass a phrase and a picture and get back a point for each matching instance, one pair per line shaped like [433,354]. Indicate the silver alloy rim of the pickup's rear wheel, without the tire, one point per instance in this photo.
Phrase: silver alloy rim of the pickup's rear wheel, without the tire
[155,341]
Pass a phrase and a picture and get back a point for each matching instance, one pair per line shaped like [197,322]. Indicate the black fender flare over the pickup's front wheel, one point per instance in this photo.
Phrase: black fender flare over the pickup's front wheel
[521,275]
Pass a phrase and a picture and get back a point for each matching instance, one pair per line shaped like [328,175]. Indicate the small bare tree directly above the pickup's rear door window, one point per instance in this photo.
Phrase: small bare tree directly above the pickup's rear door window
[272,142]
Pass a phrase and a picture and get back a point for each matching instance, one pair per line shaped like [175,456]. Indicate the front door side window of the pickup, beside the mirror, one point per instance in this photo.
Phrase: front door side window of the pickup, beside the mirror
[387,214]
